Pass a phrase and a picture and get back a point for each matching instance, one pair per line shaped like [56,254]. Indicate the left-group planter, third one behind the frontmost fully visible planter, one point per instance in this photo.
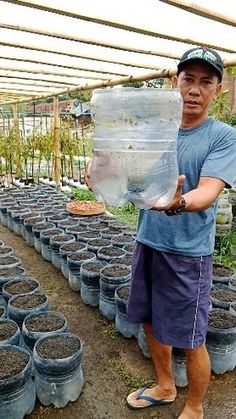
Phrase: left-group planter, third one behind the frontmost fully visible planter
[26,285]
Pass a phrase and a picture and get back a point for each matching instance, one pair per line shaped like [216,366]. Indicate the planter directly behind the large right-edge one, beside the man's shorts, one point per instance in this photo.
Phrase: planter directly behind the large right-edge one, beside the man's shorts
[222,296]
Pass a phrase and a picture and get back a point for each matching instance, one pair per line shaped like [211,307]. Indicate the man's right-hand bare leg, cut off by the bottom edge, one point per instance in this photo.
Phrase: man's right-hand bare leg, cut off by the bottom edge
[198,372]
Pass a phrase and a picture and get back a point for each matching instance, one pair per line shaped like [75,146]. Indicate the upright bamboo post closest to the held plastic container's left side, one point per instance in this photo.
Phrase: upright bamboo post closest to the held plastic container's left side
[57,144]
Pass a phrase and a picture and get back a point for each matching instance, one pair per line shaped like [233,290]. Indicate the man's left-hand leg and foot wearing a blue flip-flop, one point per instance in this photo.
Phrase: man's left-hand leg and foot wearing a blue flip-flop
[161,357]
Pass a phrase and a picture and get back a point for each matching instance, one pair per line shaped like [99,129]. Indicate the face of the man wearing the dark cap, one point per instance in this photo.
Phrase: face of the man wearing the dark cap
[198,85]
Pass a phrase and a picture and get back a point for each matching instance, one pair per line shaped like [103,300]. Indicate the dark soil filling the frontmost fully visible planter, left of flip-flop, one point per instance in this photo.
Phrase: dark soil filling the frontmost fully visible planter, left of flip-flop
[58,347]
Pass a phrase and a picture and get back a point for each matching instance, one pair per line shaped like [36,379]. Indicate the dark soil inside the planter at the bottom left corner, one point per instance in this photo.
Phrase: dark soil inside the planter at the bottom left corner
[12,363]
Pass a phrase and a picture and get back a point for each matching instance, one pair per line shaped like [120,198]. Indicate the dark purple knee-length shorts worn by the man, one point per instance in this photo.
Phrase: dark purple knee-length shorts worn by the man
[171,292]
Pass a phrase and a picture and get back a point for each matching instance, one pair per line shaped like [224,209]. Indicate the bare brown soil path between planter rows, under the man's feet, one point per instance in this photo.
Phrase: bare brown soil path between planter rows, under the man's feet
[112,363]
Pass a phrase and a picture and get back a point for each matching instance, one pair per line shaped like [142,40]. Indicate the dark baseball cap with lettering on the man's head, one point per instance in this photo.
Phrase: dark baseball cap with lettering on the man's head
[204,54]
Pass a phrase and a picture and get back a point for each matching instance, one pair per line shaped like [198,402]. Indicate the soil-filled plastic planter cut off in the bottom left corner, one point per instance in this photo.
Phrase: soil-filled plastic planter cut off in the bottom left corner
[17,391]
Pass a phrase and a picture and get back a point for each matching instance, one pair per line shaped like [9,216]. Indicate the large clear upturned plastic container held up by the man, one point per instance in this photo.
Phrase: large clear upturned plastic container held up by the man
[135,145]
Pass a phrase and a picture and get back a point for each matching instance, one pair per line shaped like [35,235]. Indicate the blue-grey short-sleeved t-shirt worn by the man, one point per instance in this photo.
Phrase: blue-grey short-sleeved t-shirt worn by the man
[206,150]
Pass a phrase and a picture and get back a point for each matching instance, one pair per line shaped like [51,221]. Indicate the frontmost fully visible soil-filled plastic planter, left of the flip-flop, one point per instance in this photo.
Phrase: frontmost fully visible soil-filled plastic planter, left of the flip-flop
[58,364]
